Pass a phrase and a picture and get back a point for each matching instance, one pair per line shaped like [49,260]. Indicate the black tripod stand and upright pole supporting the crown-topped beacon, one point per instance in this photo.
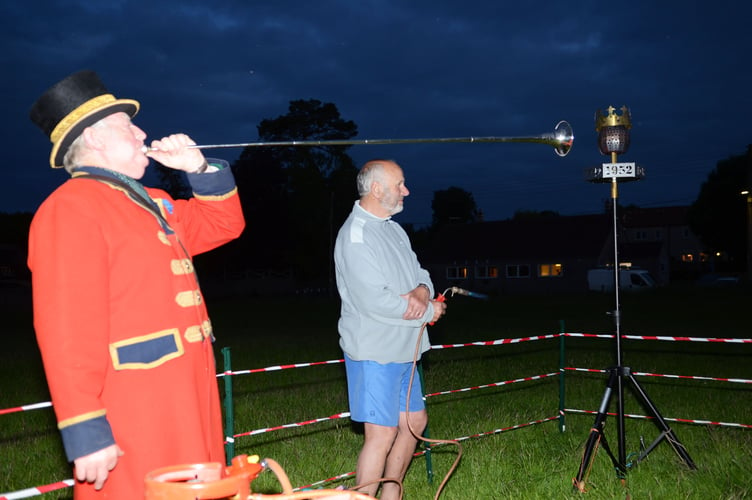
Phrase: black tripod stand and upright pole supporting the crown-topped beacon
[618,375]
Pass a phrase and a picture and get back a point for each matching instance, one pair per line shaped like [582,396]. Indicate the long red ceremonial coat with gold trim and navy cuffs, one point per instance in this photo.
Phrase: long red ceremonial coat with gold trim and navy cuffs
[122,326]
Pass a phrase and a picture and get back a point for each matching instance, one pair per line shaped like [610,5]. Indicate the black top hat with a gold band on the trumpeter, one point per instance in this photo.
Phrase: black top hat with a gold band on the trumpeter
[71,105]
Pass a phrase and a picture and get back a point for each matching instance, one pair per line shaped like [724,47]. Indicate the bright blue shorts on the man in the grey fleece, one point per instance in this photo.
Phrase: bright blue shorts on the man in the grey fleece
[378,392]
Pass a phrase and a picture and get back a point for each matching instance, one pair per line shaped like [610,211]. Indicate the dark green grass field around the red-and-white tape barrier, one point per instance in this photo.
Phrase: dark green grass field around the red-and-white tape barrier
[536,461]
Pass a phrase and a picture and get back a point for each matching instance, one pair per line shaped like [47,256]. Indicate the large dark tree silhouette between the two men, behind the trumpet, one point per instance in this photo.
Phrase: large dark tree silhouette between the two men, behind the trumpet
[295,198]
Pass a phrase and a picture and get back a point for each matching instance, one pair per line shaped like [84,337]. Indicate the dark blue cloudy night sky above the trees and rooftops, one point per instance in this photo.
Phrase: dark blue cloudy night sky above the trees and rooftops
[407,69]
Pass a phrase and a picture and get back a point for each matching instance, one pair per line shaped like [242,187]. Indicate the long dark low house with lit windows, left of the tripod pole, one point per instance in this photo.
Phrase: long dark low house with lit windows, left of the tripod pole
[531,255]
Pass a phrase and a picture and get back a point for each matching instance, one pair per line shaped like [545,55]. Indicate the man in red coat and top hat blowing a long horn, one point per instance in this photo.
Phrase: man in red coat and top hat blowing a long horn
[119,316]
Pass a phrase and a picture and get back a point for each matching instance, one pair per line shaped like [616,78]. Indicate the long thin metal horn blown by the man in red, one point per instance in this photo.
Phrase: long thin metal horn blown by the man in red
[561,139]
